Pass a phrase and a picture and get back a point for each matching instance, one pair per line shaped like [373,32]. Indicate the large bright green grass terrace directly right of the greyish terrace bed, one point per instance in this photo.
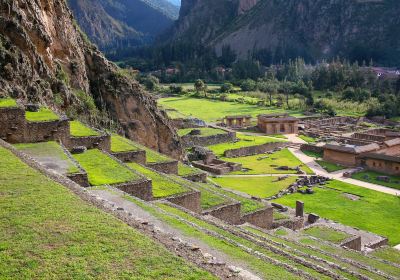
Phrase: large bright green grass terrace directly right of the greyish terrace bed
[103,170]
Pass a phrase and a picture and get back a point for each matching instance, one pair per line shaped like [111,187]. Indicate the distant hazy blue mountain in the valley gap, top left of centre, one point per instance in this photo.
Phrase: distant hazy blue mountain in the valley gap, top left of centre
[111,24]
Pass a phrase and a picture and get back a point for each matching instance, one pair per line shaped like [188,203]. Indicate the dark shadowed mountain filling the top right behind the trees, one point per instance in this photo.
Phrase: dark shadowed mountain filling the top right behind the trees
[274,30]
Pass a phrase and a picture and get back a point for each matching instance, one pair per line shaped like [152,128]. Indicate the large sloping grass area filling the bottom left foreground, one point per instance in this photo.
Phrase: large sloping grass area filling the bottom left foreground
[48,232]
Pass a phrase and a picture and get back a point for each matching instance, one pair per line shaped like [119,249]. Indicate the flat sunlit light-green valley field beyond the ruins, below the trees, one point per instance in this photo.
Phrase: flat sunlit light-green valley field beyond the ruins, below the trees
[213,110]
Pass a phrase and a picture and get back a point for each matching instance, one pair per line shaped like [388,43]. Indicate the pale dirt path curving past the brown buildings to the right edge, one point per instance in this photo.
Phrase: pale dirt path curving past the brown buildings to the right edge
[310,162]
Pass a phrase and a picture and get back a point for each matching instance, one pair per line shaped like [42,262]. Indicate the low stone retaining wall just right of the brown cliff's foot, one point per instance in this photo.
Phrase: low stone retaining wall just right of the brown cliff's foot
[198,140]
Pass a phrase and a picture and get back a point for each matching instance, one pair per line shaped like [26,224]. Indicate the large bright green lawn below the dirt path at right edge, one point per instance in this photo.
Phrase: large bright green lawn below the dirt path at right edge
[374,211]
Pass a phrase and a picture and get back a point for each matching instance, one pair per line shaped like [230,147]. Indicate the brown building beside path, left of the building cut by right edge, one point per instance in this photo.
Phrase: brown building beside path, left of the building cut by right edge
[347,155]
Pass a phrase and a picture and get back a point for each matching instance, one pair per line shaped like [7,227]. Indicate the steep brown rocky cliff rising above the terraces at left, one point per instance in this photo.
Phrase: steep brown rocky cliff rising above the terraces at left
[44,58]
